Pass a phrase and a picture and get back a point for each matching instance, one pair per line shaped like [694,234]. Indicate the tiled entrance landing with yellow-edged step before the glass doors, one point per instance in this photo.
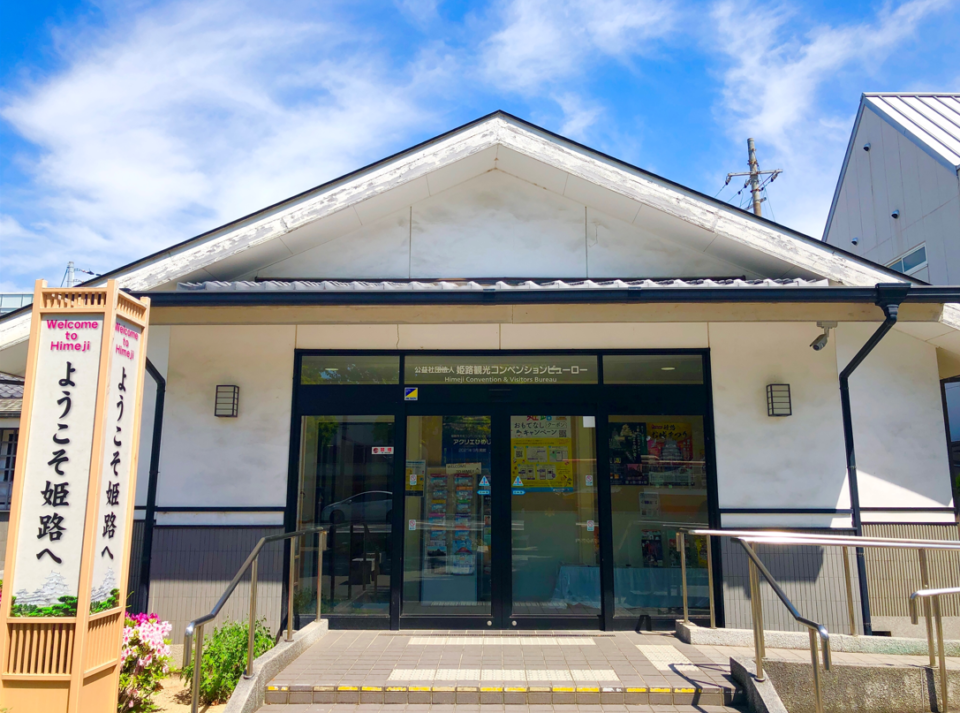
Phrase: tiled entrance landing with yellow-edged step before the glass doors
[498,669]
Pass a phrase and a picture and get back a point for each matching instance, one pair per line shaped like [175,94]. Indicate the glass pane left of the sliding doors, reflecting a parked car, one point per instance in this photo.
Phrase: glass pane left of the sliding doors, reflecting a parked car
[345,484]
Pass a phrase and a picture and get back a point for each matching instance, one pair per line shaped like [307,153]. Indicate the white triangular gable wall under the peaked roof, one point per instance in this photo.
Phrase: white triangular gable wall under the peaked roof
[498,225]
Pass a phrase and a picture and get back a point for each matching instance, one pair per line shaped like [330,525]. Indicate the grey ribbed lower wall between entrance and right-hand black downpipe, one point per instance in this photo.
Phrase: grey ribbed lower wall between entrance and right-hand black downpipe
[812,577]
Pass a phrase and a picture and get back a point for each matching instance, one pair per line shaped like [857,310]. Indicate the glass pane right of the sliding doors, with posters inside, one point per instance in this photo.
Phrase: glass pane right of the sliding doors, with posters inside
[658,483]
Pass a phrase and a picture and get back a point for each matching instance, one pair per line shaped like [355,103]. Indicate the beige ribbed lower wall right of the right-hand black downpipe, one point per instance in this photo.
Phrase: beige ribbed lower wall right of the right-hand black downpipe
[893,575]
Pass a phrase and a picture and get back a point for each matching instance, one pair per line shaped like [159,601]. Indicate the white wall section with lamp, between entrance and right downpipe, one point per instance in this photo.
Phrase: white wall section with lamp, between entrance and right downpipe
[790,462]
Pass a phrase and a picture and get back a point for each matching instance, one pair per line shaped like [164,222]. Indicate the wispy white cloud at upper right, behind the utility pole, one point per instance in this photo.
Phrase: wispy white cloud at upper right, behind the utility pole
[772,91]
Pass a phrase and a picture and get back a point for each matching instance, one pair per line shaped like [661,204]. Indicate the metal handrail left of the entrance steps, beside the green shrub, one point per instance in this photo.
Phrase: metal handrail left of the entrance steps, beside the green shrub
[194,629]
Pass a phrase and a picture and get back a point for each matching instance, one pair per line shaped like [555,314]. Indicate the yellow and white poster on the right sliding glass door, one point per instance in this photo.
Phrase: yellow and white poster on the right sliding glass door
[541,448]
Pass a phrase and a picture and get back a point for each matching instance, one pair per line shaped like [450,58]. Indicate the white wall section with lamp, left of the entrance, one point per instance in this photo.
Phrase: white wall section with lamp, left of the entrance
[235,462]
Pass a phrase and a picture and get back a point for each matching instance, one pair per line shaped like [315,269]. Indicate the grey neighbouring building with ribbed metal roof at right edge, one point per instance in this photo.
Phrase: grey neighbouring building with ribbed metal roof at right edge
[898,198]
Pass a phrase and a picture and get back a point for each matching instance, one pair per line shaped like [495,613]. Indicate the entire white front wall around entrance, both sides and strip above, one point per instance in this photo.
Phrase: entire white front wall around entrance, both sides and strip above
[797,462]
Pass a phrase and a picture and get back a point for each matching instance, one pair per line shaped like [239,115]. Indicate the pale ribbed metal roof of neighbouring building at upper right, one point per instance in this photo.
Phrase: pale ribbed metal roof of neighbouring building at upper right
[932,119]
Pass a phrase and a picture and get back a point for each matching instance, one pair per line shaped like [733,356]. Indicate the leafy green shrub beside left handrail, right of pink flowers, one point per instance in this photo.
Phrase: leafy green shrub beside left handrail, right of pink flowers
[225,659]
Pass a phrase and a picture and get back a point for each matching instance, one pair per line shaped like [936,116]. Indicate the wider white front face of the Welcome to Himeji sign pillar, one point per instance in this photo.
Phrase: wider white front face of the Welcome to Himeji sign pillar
[57,473]
